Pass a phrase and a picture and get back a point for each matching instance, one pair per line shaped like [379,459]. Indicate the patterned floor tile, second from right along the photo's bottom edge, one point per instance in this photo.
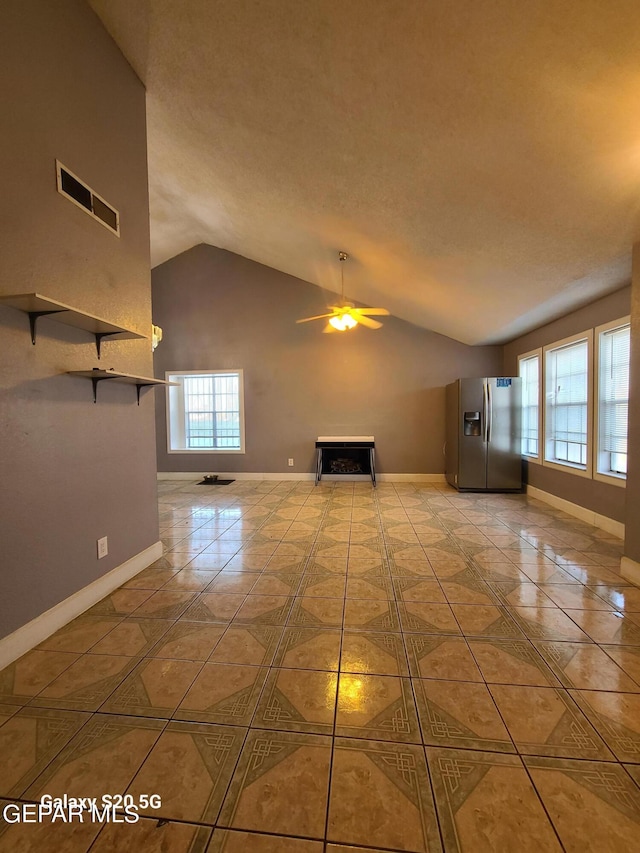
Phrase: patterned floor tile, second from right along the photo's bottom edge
[486,803]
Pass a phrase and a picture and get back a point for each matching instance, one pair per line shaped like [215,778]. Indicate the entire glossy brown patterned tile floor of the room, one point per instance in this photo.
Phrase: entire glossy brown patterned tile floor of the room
[335,669]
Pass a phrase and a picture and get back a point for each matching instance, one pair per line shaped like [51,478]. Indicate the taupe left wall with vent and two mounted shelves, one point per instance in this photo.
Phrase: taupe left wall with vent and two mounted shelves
[71,471]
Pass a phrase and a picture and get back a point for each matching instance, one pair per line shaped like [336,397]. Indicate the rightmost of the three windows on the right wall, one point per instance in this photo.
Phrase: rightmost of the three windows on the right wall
[613,341]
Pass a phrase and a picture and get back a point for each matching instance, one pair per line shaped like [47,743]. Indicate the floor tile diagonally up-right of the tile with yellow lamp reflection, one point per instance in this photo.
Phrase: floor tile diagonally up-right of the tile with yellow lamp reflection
[440,656]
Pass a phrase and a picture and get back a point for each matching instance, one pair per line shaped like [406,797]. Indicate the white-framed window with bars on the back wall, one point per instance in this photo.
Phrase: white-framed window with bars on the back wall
[205,412]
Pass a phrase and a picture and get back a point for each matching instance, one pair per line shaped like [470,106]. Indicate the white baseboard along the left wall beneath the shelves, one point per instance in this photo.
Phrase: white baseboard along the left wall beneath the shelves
[26,637]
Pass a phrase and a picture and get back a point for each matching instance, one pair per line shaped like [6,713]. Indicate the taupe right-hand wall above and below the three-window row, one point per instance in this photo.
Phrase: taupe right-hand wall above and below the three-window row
[605,499]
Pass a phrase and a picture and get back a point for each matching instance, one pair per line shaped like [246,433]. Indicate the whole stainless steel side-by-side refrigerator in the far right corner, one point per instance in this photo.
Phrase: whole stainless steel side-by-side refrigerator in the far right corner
[482,452]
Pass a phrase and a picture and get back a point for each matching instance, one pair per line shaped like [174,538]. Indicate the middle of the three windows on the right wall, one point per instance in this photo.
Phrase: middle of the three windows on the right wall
[567,403]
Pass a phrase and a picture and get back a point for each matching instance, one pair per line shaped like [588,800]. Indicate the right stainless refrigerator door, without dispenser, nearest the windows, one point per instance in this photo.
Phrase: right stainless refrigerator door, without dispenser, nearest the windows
[504,463]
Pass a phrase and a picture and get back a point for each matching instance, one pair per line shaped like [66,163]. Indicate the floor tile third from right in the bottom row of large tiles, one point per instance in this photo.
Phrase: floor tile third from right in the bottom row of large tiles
[392,780]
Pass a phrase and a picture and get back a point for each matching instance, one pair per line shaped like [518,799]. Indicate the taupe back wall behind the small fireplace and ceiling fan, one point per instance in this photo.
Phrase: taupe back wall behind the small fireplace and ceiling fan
[220,310]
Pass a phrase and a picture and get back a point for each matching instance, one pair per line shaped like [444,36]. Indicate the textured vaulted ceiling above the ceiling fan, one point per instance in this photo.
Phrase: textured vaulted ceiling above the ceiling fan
[478,159]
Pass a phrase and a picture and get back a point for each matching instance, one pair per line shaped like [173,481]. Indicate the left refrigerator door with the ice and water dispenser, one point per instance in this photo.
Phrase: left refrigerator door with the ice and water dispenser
[472,425]
